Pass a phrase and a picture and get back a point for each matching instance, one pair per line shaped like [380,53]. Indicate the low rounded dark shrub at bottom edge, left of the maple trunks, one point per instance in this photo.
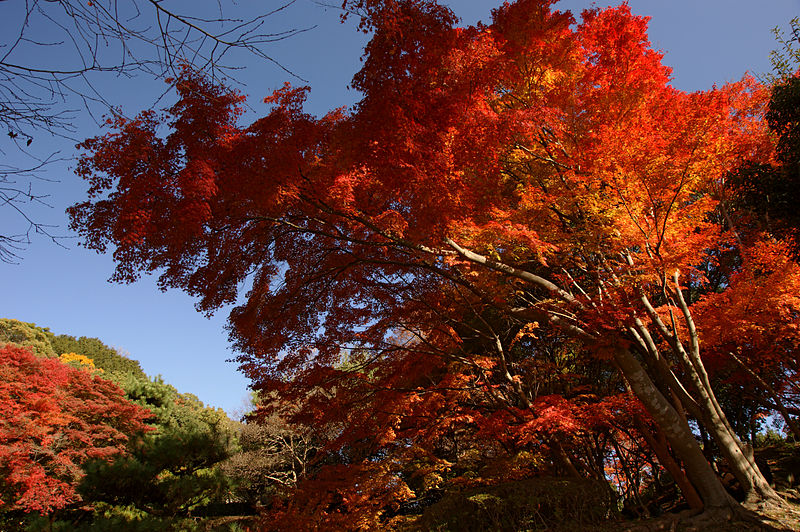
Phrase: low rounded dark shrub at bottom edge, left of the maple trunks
[533,504]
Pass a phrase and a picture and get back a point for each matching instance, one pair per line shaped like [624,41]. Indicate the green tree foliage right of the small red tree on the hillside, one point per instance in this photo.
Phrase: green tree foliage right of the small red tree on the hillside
[173,471]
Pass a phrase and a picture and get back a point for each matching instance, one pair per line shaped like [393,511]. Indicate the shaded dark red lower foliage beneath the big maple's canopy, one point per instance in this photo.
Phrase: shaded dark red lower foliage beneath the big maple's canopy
[411,426]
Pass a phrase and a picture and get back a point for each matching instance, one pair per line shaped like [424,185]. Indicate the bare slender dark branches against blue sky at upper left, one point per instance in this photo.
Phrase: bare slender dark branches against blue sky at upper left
[54,63]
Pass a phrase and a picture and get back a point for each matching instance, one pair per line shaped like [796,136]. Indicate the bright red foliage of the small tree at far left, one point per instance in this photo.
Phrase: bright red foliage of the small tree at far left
[53,418]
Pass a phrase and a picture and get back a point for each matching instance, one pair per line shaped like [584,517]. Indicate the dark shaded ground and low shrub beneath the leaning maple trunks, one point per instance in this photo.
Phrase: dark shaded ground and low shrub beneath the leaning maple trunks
[563,505]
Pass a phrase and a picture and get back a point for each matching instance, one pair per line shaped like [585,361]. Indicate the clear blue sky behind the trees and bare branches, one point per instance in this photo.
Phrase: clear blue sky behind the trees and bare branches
[704,41]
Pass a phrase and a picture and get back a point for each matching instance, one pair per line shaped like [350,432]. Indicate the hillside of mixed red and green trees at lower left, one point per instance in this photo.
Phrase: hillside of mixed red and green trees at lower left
[124,451]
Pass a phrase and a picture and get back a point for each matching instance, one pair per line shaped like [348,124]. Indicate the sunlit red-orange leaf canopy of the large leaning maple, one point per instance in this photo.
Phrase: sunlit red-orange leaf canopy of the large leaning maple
[524,141]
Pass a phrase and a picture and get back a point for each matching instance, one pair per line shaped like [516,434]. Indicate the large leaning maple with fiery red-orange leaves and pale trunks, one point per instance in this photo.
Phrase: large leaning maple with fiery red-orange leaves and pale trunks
[532,173]
